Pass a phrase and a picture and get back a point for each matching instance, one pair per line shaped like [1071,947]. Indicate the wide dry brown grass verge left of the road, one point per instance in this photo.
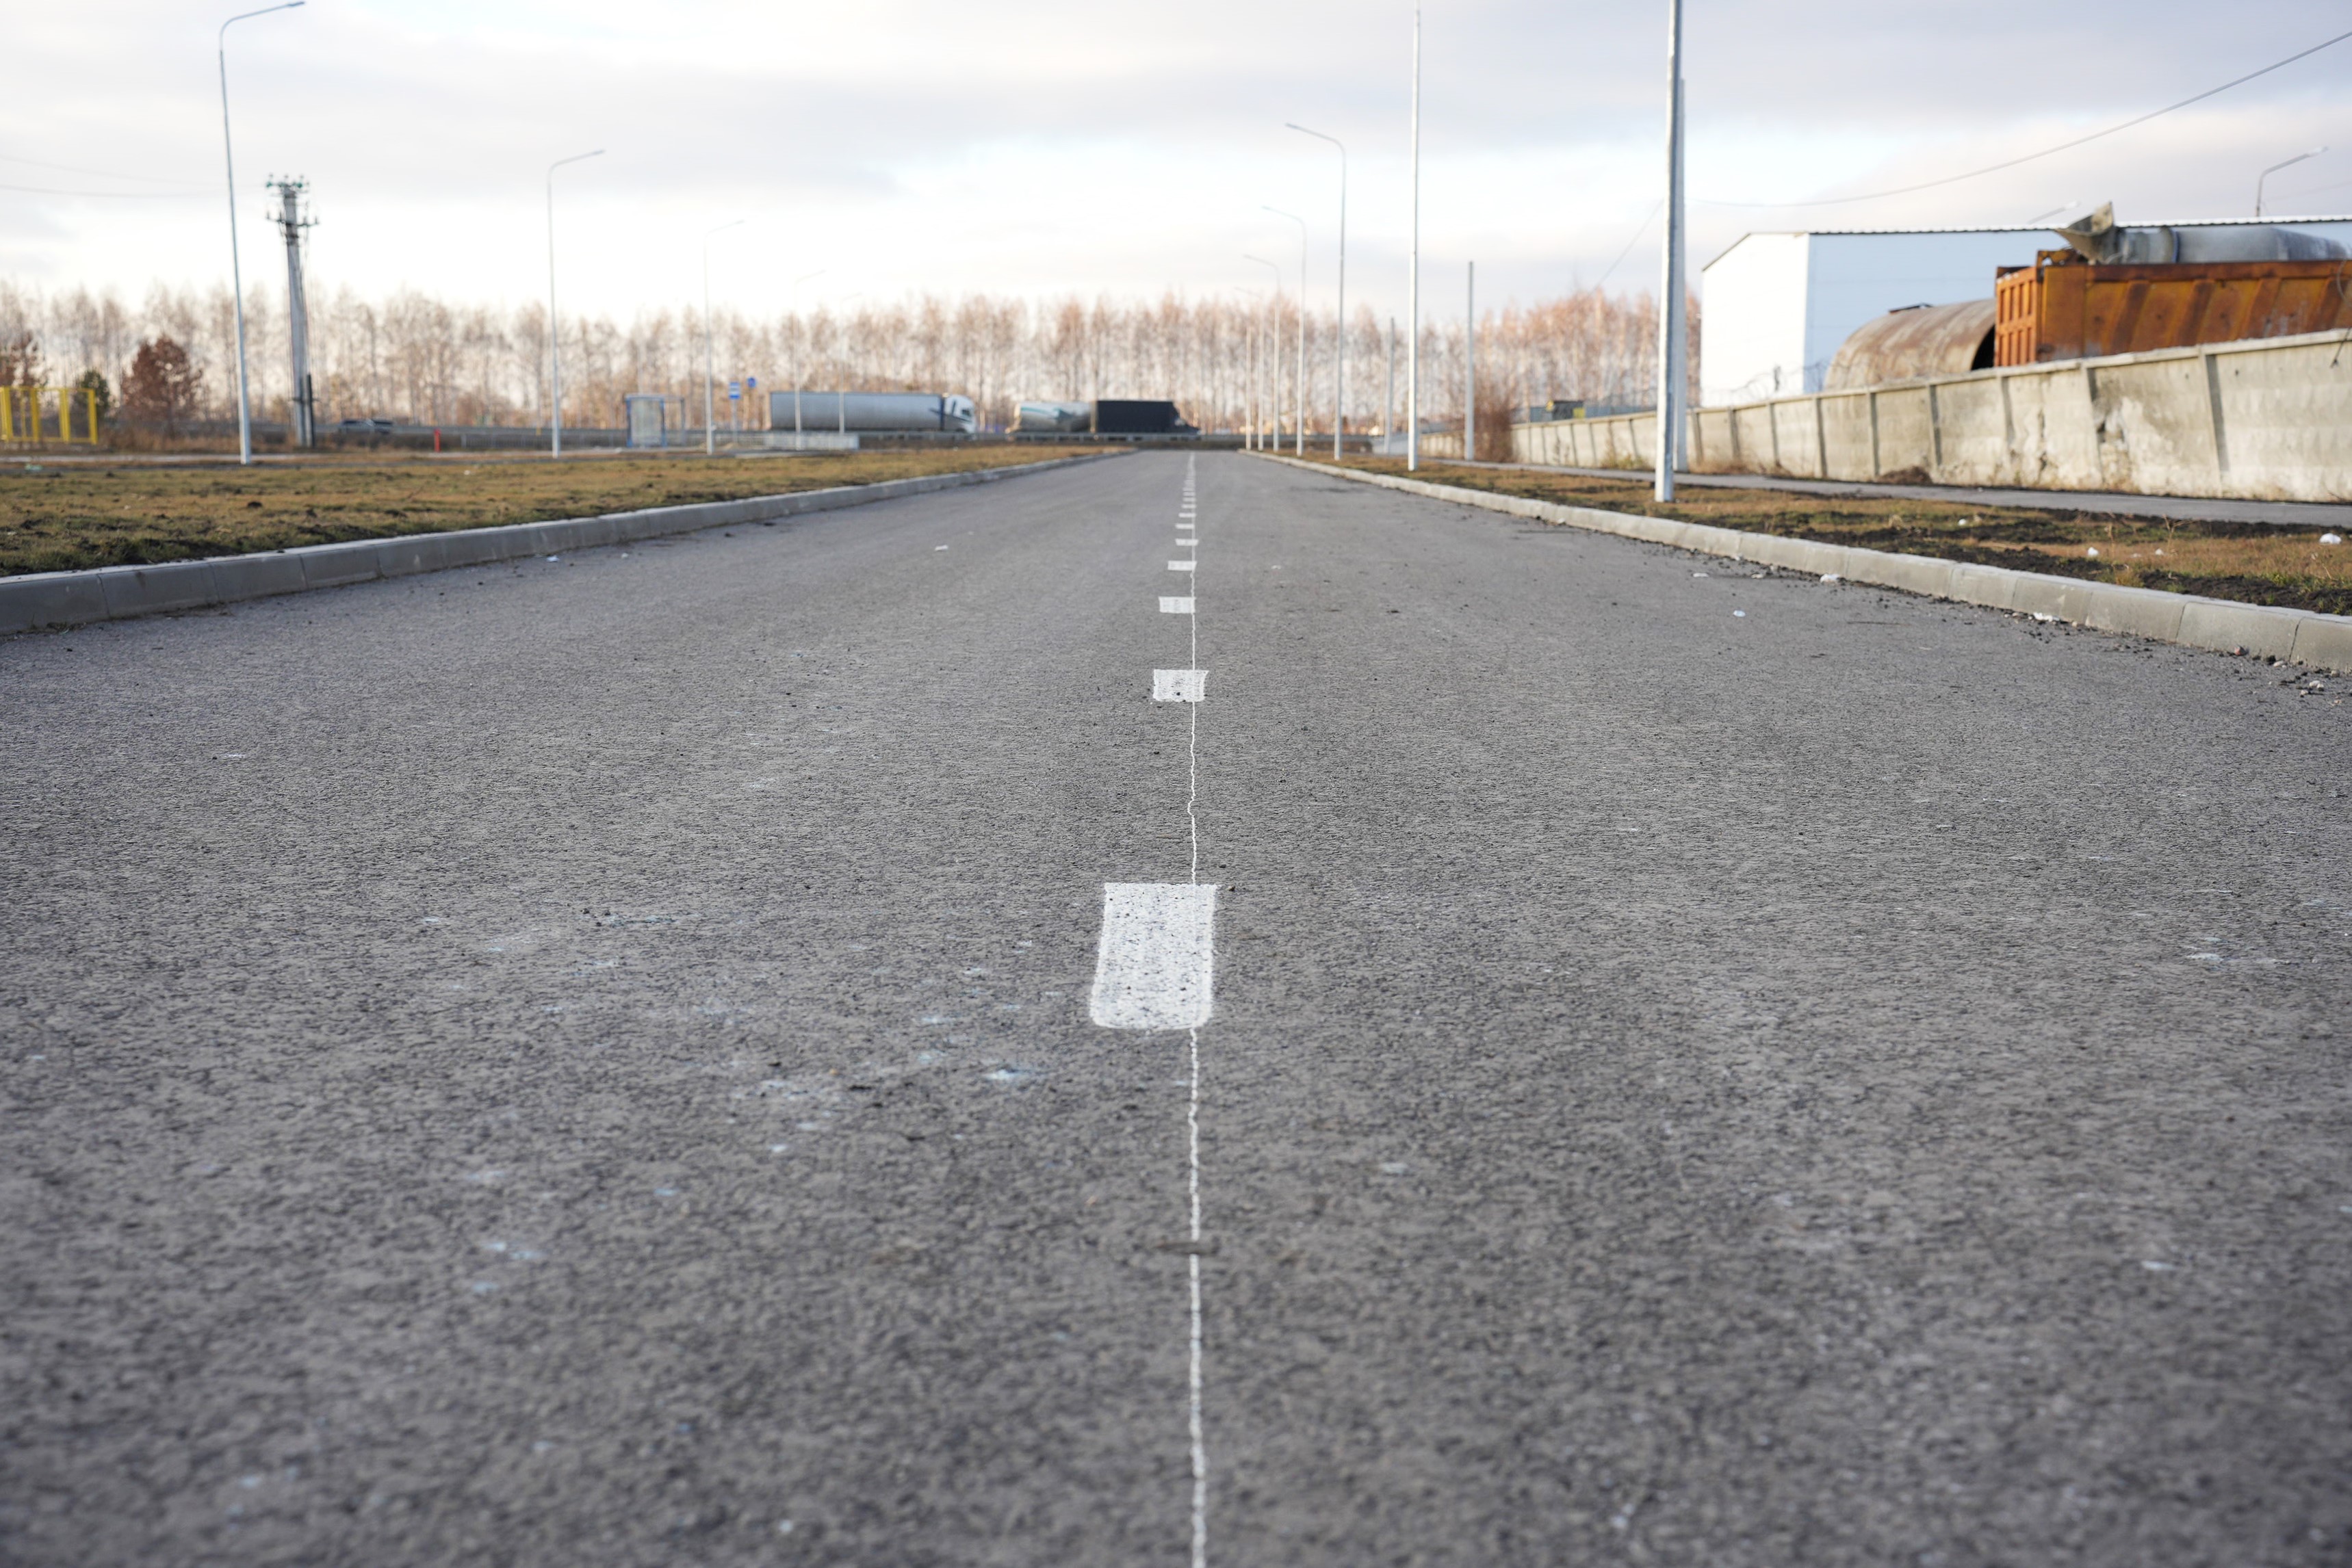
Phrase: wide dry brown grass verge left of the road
[98,514]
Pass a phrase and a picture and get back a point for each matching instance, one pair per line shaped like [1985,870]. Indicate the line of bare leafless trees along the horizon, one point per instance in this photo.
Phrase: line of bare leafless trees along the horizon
[417,359]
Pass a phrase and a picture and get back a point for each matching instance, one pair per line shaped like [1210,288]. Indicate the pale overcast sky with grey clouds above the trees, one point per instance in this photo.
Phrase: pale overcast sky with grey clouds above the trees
[1121,149]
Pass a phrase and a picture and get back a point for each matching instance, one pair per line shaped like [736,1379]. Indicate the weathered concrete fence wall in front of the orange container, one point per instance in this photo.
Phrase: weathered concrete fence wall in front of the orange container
[2269,420]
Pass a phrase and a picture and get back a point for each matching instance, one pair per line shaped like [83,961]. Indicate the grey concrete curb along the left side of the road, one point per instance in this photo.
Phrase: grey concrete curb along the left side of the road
[116,594]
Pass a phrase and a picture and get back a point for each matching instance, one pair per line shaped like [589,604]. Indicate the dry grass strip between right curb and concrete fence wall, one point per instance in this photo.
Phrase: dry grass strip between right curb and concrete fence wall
[2224,561]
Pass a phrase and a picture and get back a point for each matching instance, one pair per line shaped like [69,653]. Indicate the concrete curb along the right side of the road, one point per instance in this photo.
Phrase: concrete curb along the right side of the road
[2299,636]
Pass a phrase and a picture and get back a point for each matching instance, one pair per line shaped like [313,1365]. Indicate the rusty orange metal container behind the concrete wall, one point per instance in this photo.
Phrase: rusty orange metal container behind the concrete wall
[2069,309]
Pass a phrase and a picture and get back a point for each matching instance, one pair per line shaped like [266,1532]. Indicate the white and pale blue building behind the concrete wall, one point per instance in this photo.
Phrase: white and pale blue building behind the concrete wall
[1777,307]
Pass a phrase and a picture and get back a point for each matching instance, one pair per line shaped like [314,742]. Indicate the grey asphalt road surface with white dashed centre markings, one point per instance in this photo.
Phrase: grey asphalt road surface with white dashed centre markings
[589,1064]
